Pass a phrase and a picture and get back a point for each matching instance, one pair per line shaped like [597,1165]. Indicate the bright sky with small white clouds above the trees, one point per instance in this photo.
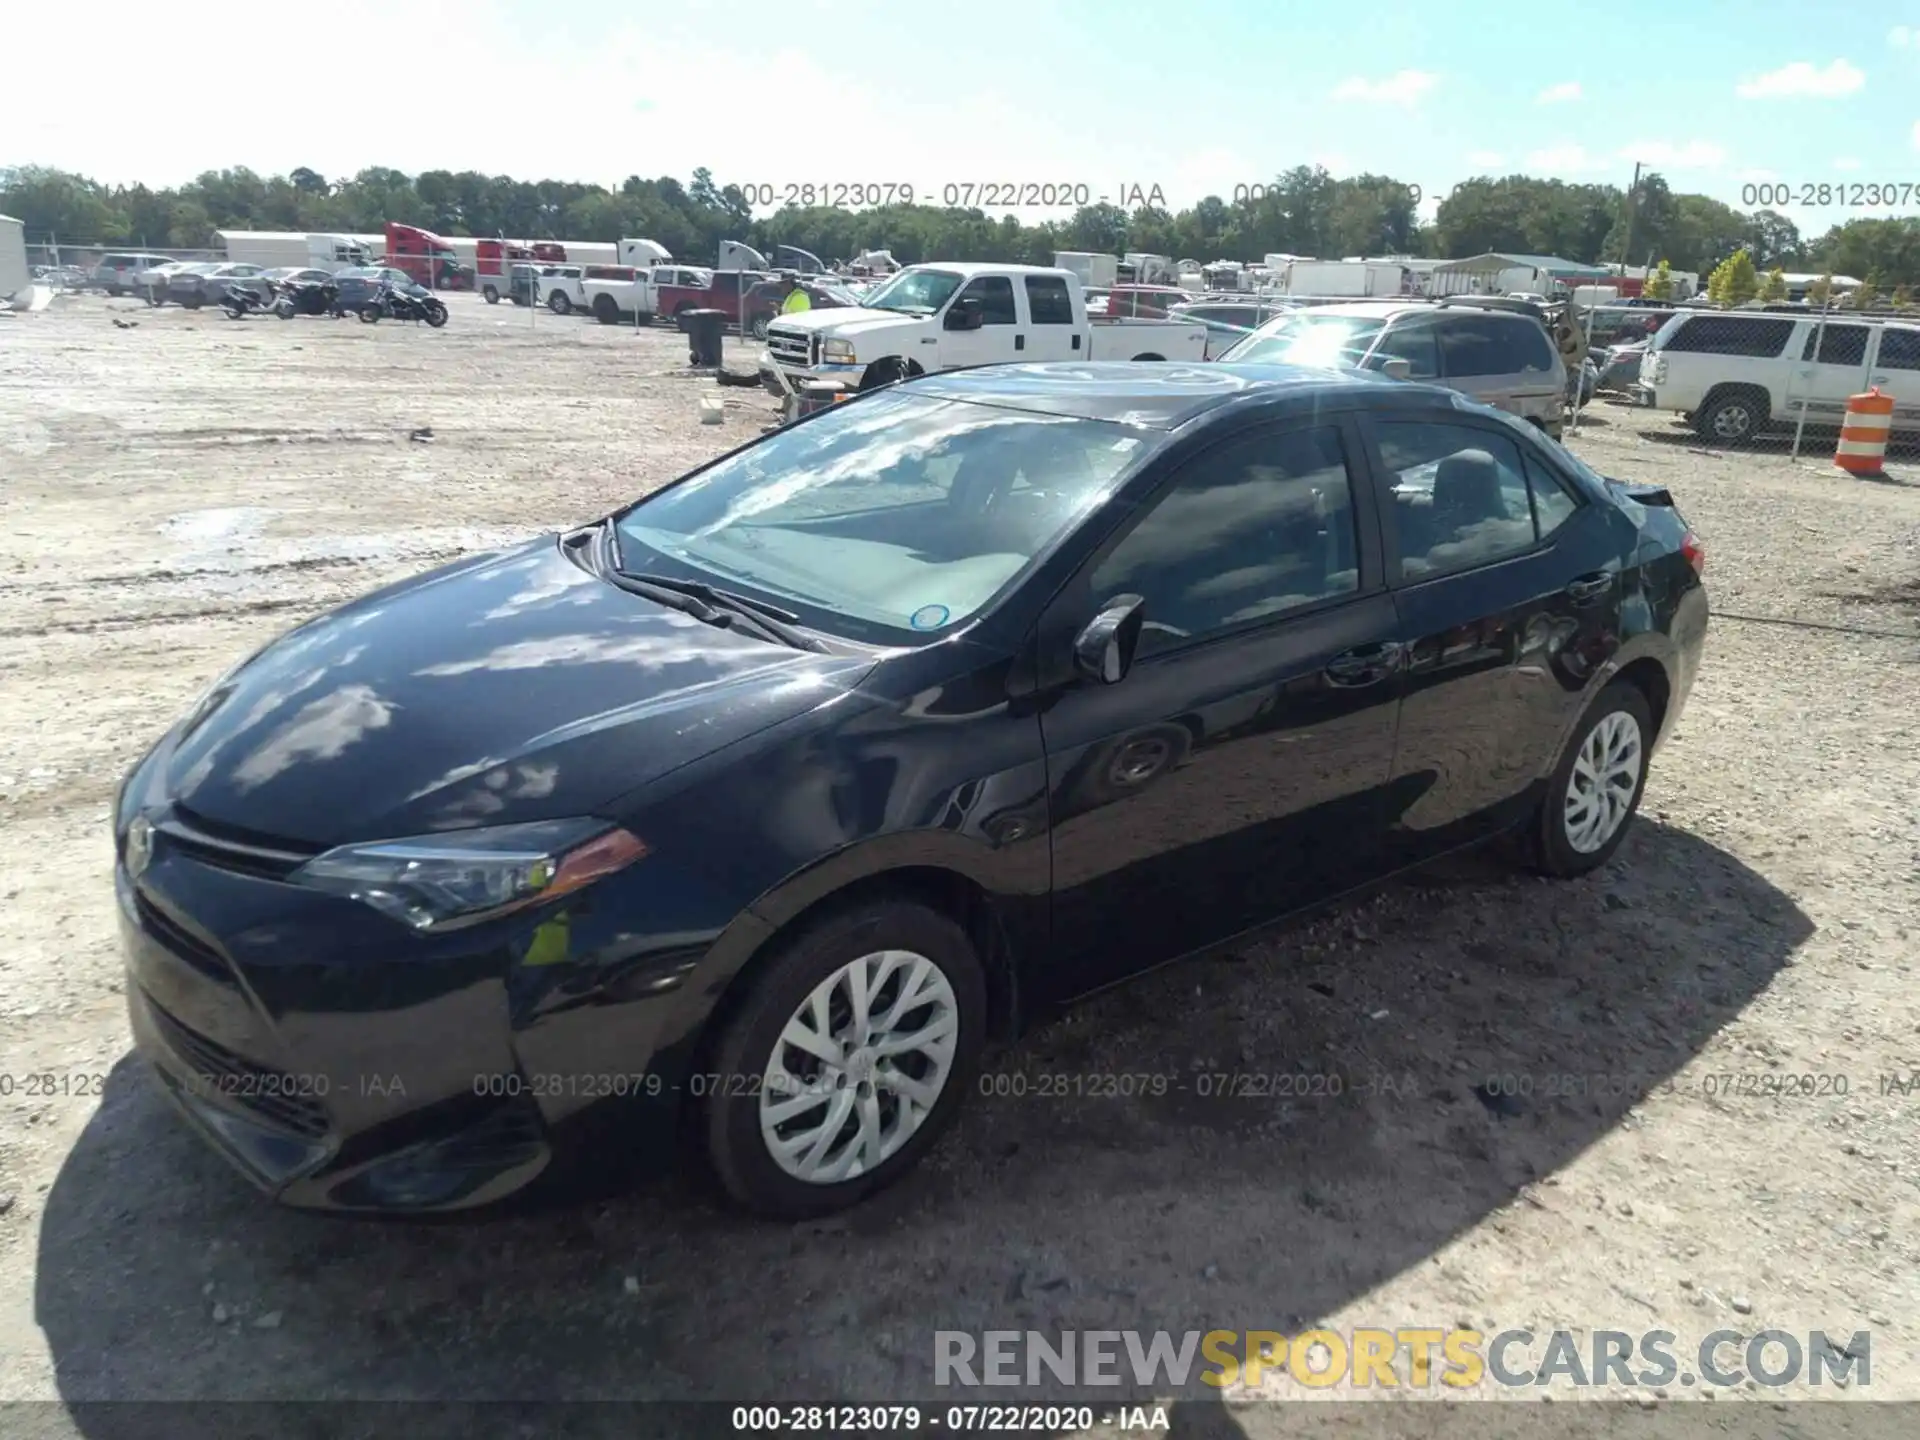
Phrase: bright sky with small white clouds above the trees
[1193,99]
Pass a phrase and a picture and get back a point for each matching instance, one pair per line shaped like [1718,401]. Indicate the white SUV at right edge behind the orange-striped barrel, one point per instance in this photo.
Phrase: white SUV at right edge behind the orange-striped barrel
[1737,375]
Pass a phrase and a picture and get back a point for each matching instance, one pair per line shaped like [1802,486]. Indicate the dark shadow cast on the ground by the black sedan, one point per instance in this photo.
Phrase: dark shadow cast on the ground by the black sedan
[1410,1063]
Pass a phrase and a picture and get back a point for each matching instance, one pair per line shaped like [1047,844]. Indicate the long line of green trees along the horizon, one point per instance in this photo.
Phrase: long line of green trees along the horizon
[1305,212]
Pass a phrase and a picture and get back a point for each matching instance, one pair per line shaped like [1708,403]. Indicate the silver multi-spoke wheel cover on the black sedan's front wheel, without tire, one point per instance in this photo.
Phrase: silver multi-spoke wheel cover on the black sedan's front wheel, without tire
[859,1067]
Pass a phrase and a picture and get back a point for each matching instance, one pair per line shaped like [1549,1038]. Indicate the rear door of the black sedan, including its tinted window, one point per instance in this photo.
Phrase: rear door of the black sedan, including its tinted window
[1508,590]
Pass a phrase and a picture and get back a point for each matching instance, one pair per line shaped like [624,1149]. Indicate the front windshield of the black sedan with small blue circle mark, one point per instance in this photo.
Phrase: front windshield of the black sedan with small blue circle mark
[888,519]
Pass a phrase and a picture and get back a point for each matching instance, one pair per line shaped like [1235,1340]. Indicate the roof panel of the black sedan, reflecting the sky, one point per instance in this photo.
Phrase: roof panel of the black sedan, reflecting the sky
[1164,396]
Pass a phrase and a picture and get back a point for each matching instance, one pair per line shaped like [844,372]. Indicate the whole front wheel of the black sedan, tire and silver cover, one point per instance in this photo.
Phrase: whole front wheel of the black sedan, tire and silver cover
[848,1059]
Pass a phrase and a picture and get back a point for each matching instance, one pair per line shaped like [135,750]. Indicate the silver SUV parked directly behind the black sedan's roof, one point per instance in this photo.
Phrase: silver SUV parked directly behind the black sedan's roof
[1497,352]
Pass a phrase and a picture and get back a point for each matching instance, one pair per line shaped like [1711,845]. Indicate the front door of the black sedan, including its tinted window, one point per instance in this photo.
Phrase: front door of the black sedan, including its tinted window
[1239,769]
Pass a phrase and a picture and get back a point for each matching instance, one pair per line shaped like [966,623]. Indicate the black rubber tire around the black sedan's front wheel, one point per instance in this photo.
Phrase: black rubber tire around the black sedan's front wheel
[752,1042]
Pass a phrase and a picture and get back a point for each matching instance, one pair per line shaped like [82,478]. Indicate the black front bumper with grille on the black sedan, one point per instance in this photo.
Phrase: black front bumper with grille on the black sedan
[343,1063]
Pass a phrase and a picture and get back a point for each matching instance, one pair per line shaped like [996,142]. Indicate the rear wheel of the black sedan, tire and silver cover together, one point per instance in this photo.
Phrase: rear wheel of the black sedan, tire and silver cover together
[1596,786]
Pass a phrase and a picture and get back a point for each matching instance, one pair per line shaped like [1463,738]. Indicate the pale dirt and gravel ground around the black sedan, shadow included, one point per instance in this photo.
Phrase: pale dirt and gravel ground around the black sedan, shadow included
[178,492]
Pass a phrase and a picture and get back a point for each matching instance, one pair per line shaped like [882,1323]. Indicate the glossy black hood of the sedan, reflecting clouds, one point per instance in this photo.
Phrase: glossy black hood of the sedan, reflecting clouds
[506,688]
